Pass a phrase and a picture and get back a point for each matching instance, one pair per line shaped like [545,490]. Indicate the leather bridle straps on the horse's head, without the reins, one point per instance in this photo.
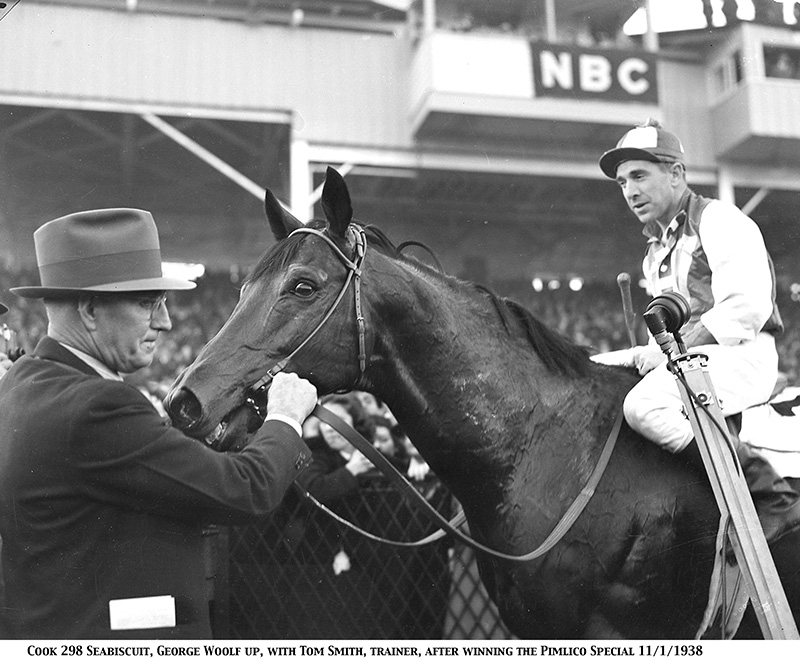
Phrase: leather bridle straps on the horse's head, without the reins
[354,267]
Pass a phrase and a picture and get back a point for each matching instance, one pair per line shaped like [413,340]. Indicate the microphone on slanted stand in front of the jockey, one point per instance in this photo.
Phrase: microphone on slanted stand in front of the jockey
[664,317]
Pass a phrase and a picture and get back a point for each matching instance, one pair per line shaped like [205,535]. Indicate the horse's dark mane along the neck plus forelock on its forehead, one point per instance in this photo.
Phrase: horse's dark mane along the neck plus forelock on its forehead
[559,354]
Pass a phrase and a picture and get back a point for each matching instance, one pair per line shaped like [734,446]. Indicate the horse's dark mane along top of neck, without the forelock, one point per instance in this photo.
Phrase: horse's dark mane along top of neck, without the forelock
[558,353]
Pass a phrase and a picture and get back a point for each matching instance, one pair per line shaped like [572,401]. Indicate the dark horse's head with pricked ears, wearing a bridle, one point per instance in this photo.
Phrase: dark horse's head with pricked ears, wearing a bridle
[296,310]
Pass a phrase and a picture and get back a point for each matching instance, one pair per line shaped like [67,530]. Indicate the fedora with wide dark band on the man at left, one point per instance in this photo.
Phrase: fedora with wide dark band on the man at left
[102,251]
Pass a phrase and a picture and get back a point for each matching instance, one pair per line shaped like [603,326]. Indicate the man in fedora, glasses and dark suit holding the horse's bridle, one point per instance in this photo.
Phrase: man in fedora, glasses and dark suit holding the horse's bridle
[102,502]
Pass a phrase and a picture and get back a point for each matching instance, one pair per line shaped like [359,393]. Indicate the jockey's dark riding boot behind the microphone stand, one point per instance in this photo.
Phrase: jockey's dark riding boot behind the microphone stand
[776,502]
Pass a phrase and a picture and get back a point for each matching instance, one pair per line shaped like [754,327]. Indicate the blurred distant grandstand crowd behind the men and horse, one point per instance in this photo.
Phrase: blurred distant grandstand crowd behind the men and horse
[591,316]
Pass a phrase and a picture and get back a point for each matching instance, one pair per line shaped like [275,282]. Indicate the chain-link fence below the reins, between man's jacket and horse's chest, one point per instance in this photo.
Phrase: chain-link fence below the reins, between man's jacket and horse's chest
[303,575]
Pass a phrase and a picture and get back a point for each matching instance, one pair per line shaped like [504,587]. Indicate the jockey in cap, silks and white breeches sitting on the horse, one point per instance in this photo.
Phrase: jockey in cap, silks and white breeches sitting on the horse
[713,255]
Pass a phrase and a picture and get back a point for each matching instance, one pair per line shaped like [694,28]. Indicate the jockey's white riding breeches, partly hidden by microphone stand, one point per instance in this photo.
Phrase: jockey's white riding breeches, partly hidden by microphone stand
[743,375]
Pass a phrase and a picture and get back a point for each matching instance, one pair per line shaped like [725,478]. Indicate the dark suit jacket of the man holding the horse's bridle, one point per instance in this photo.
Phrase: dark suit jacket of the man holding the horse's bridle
[101,499]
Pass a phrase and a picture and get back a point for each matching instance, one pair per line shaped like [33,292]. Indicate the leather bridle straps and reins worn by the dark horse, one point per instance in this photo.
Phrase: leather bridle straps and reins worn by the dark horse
[354,268]
